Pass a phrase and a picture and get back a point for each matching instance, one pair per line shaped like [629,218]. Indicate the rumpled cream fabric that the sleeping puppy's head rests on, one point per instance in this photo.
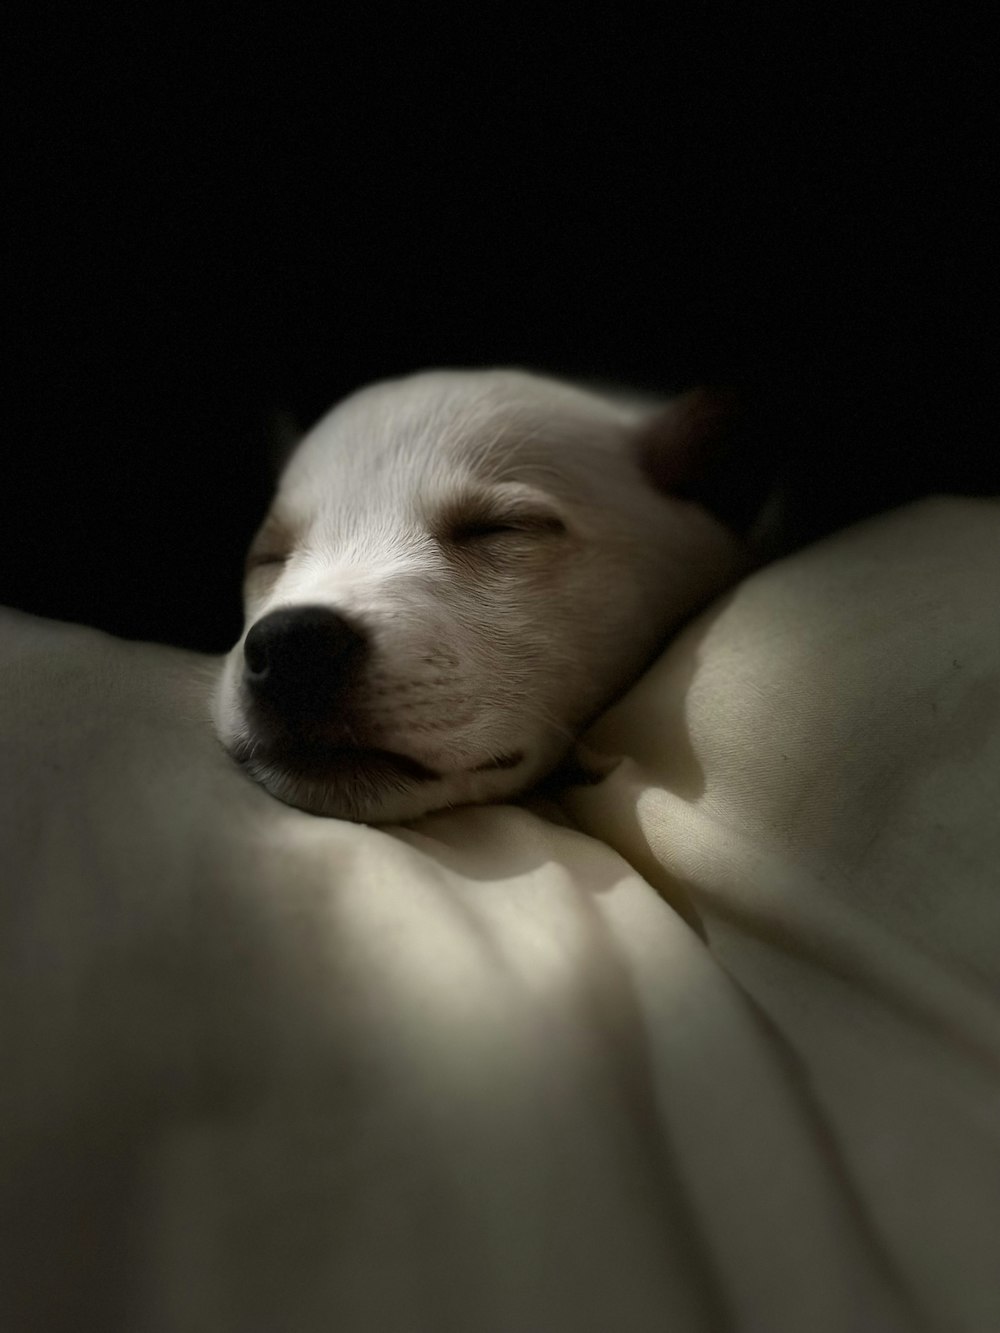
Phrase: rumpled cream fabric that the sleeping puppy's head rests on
[723,1055]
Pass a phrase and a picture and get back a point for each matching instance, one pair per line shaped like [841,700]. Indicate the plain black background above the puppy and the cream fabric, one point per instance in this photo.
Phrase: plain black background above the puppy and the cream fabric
[213,218]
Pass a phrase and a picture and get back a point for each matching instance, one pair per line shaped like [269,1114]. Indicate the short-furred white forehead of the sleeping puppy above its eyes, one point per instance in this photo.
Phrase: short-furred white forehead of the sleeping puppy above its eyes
[438,429]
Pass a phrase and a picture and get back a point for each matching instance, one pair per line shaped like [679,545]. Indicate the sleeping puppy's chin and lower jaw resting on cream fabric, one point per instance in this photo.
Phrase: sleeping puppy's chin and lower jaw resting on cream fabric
[371,786]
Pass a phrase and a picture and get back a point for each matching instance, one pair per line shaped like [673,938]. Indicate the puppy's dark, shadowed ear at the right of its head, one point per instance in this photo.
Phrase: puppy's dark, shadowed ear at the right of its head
[705,447]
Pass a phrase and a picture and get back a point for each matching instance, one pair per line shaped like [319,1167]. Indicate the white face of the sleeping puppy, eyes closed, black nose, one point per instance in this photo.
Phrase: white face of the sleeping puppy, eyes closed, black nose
[459,570]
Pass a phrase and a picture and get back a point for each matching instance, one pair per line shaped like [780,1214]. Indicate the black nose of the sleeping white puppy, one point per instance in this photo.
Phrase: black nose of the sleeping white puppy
[299,661]
